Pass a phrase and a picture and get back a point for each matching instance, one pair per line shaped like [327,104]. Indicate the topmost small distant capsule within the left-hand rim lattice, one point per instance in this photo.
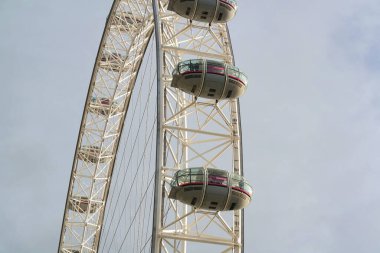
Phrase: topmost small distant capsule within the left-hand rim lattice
[126,21]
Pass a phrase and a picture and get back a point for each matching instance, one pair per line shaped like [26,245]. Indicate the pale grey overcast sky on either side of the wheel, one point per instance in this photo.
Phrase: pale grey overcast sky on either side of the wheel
[311,119]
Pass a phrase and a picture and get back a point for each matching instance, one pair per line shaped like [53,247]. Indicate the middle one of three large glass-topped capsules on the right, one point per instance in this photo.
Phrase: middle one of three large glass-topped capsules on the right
[209,79]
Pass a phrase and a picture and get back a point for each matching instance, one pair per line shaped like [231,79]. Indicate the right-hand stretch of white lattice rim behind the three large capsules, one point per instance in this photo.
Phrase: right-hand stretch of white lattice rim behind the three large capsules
[213,137]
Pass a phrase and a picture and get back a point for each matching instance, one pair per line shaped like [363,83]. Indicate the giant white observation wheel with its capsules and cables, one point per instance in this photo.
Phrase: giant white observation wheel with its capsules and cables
[161,119]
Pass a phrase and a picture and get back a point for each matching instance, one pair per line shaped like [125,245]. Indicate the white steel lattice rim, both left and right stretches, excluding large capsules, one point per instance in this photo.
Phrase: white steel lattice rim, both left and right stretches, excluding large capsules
[190,132]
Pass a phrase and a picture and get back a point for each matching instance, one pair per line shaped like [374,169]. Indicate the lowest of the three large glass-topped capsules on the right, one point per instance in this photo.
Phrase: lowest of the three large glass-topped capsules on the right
[211,189]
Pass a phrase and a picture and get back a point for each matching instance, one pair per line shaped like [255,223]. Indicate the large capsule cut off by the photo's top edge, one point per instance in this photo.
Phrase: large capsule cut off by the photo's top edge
[210,11]
